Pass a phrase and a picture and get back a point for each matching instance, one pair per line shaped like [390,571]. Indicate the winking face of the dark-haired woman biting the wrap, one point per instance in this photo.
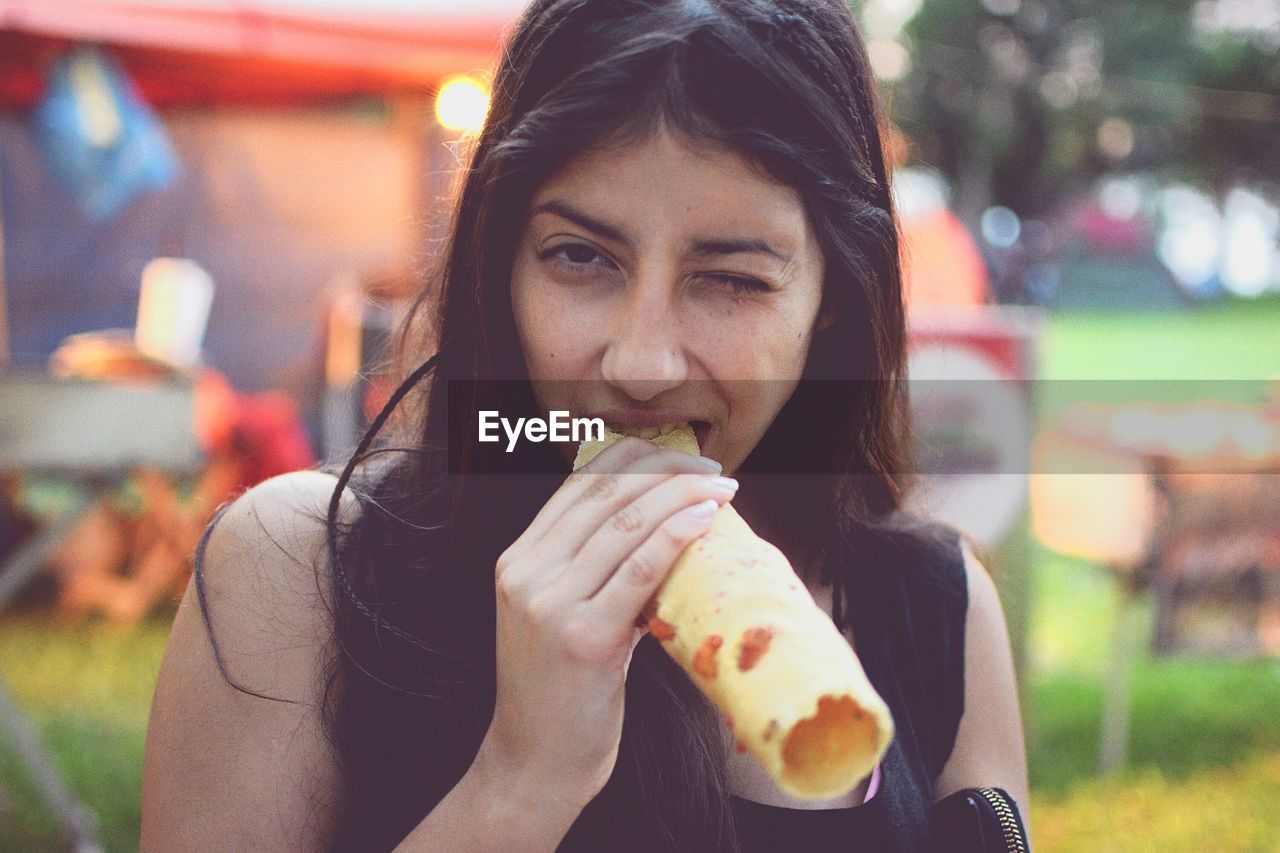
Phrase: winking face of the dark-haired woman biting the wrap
[659,284]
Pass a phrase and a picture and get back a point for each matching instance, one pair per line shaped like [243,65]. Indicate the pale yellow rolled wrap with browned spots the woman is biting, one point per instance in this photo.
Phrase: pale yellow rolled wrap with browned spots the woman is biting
[743,626]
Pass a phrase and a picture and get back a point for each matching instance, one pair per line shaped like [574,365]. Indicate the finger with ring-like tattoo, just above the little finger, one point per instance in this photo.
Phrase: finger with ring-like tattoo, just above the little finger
[625,531]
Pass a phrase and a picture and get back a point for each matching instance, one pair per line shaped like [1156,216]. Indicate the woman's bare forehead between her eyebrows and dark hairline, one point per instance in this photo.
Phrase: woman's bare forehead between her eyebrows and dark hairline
[671,185]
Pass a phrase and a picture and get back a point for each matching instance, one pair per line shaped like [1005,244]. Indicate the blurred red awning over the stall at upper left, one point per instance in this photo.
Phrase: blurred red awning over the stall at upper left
[185,52]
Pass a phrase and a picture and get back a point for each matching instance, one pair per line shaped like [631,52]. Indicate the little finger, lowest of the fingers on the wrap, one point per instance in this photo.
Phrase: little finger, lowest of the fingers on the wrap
[630,589]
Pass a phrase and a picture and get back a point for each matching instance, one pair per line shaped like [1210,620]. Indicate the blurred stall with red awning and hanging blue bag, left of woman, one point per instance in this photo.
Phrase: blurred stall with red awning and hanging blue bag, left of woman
[282,168]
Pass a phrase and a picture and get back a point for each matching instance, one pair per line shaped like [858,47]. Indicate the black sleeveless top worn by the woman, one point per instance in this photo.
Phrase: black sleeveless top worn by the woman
[908,599]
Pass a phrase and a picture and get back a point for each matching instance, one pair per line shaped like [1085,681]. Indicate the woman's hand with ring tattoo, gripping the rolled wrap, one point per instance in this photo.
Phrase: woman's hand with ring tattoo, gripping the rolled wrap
[569,595]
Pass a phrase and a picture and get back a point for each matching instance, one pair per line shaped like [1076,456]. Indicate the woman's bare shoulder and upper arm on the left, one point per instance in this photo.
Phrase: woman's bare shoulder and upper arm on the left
[249,768]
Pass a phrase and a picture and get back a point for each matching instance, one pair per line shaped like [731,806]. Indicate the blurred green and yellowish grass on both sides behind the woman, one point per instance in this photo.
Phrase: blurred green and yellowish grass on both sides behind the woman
[1205,747]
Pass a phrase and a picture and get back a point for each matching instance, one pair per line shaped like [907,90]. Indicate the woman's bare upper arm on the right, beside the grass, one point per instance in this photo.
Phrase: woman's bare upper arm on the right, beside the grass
[990,750]
